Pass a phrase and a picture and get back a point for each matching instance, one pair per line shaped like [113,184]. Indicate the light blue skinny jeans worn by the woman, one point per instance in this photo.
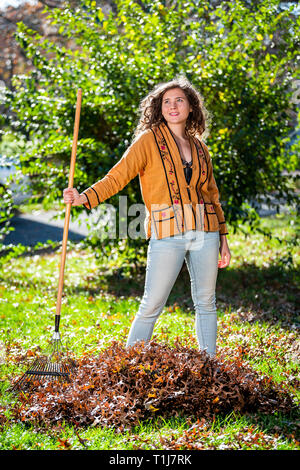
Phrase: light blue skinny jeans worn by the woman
[165,258]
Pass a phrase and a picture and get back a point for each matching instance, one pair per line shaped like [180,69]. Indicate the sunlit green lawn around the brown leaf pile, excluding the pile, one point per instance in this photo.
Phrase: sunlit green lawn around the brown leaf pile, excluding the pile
[256,300]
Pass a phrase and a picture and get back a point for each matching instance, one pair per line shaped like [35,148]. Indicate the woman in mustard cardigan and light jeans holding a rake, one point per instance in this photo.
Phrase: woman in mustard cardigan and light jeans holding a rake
[185,220]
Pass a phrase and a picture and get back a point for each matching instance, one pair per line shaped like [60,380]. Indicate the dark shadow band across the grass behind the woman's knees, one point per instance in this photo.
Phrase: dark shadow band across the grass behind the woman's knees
[267,294]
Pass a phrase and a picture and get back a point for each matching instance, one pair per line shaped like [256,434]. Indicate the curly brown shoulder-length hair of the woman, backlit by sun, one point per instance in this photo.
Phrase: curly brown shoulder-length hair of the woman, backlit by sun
[150,108]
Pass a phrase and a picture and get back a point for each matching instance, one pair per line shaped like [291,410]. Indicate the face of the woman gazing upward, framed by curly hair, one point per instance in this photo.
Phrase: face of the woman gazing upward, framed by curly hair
[175,106]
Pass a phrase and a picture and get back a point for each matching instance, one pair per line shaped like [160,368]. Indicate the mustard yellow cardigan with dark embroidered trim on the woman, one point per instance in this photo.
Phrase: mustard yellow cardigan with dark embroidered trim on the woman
[172,206]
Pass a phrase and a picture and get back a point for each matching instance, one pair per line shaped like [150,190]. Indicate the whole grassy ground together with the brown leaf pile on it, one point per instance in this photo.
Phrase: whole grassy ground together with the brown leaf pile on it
[165,395]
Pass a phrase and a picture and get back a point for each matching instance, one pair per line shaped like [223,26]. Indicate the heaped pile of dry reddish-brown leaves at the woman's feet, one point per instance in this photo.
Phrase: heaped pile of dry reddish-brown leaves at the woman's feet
[120,387]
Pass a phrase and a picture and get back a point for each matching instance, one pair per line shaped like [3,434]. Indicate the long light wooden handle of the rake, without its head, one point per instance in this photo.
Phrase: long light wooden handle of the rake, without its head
[68,211]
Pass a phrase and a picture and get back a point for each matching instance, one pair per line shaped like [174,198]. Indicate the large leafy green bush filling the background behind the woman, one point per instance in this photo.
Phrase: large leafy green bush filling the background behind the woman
[231,53]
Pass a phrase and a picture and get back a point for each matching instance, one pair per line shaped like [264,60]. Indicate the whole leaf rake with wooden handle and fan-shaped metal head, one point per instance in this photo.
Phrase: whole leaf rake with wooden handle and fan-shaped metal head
[56,364]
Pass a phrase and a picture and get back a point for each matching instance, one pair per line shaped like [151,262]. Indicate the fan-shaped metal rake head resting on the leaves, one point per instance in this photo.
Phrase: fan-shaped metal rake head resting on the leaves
[57,365]
